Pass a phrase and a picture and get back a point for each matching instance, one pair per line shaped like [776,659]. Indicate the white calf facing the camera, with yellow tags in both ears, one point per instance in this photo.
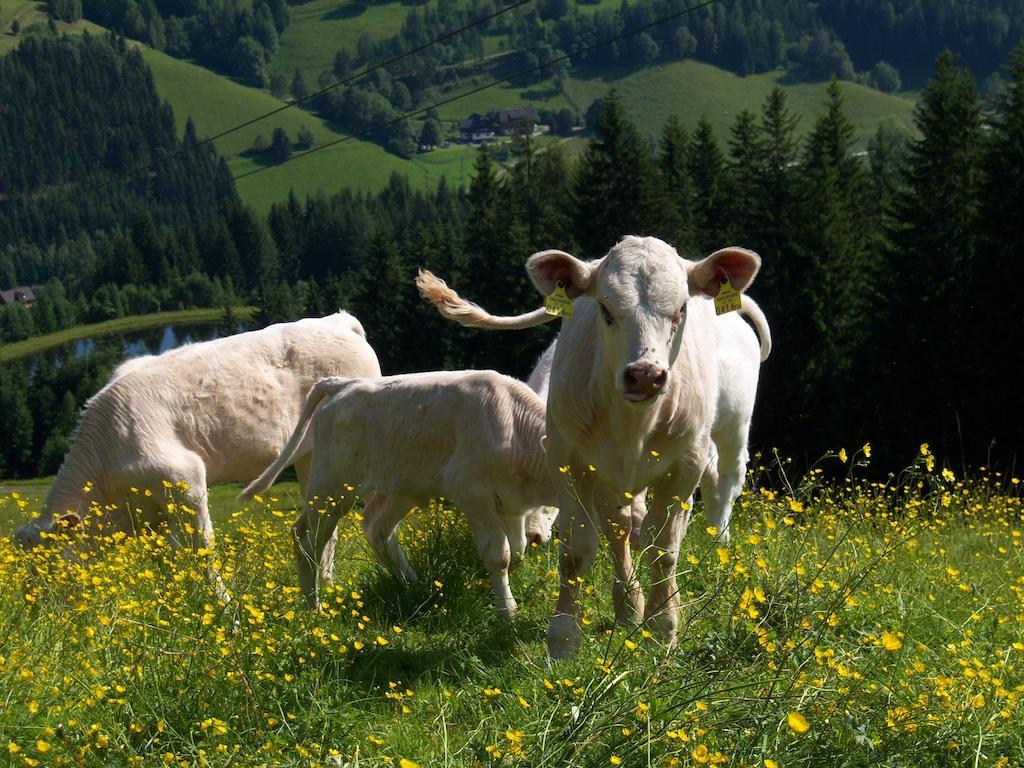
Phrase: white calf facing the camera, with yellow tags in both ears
[635,387]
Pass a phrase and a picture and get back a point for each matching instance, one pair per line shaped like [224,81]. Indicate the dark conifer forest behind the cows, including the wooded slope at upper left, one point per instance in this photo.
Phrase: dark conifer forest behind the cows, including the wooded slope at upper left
[890,278]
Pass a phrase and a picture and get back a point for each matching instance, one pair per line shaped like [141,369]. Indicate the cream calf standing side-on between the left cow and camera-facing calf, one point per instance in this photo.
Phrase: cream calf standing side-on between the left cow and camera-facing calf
[475,437]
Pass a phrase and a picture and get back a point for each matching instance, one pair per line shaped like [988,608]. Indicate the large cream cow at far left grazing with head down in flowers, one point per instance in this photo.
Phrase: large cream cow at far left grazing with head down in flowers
[198,415]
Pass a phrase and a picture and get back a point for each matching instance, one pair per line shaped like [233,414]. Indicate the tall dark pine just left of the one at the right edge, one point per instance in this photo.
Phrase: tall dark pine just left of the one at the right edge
[934,259]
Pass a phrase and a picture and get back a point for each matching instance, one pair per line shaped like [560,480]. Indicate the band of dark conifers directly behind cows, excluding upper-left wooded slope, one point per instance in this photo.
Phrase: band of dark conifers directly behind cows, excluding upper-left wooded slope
[879,276]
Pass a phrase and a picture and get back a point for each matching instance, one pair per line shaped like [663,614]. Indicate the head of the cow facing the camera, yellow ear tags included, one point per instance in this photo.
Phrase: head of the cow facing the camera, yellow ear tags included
[643,288]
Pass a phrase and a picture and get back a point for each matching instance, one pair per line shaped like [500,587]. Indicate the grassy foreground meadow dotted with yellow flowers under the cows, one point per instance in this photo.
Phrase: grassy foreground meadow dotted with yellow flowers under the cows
[849,624]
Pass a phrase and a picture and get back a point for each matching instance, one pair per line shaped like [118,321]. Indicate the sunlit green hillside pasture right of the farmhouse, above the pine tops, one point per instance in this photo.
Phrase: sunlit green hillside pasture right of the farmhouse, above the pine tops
[691,90]
